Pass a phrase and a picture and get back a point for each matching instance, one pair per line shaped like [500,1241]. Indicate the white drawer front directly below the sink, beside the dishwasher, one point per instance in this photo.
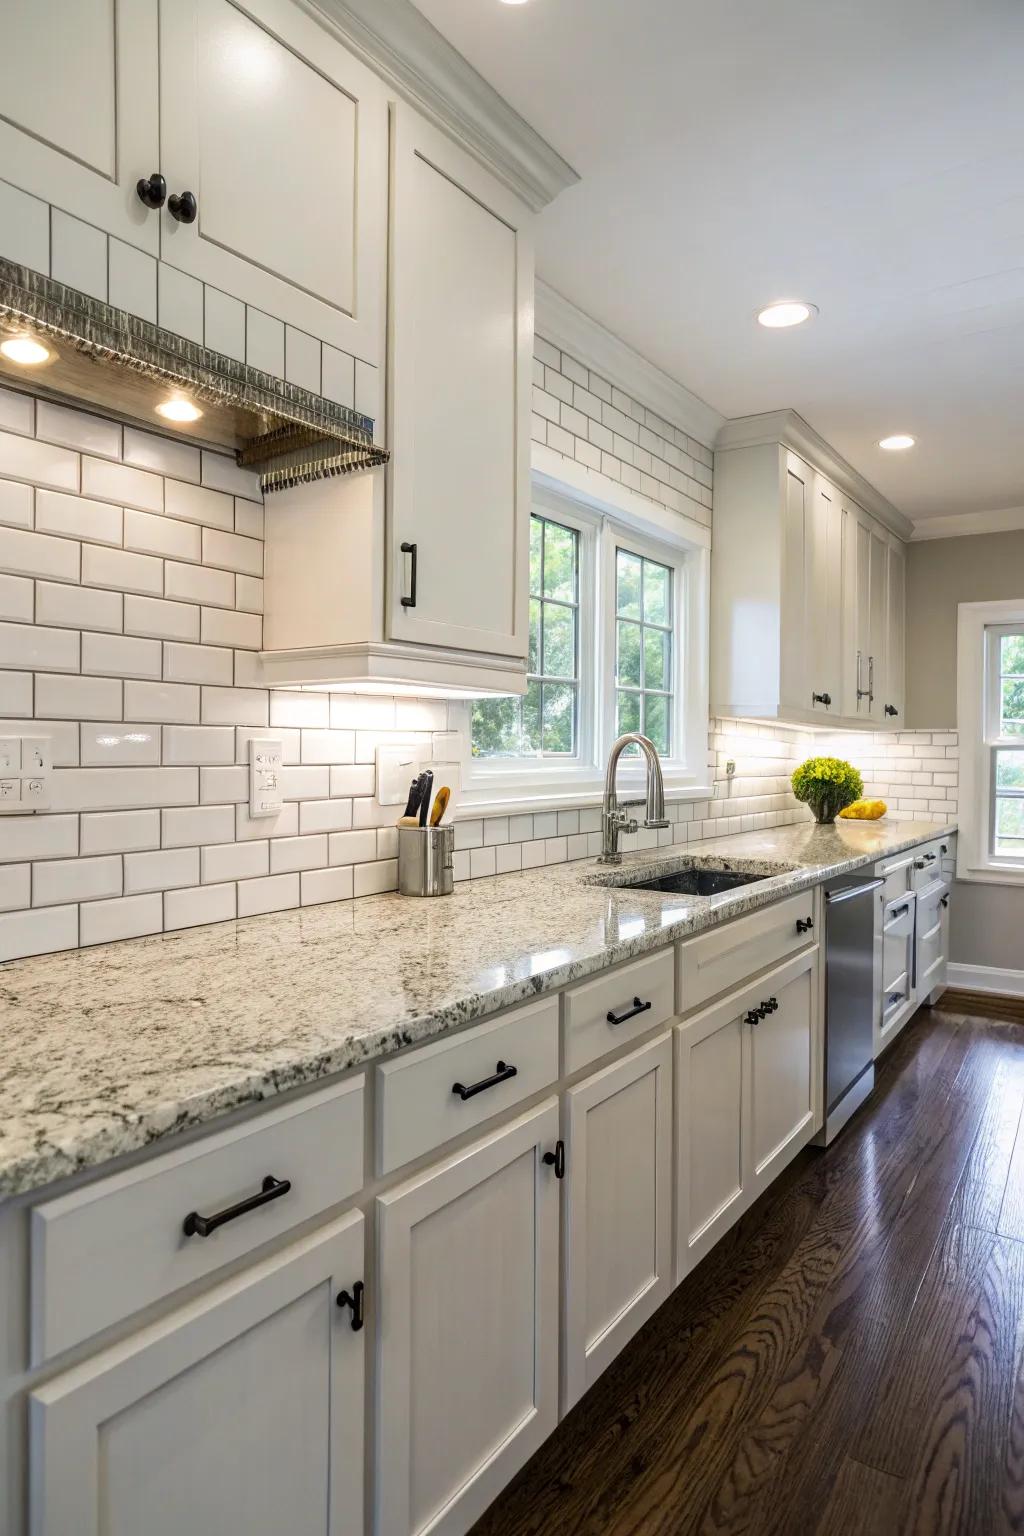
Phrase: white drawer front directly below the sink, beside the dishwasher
[727,956]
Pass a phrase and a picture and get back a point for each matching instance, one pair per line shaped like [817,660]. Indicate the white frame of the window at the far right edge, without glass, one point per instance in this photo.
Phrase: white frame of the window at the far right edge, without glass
[980,626]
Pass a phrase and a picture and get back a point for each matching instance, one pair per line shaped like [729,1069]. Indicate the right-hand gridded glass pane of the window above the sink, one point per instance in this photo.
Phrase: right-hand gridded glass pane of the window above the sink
[644,649]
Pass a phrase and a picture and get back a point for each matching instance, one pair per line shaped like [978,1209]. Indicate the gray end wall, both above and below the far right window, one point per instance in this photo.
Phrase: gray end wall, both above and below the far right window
[988,919]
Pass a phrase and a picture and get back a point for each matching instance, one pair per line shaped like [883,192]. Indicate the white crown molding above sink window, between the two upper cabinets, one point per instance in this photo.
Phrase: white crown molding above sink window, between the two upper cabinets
[584,339]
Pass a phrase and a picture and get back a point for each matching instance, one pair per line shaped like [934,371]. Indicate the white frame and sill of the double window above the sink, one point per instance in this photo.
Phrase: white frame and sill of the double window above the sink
[609,517]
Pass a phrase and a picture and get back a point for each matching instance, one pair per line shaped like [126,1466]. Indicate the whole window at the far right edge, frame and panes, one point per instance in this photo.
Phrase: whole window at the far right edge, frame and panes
[991,720]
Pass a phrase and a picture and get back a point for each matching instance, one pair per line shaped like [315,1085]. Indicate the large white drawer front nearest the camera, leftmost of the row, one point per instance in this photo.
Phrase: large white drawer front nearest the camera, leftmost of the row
[104,1253]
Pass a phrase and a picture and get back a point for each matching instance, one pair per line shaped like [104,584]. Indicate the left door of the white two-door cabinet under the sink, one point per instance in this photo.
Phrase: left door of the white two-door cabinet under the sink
[710,1117]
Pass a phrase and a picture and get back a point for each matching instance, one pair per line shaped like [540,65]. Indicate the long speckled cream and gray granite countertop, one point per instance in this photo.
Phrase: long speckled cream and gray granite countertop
[110,1050]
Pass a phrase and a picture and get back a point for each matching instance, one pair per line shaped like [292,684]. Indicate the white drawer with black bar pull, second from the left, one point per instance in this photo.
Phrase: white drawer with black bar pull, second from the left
[435,1094]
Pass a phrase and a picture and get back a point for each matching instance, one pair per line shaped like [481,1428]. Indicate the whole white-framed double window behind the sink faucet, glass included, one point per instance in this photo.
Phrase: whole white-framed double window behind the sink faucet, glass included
[618,643]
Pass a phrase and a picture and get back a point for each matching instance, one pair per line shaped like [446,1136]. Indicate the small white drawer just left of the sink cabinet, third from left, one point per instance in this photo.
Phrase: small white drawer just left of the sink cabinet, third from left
[639,996]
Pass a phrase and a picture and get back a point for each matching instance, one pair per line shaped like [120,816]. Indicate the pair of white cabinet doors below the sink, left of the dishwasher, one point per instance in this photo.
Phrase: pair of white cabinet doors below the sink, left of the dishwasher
[747,1071]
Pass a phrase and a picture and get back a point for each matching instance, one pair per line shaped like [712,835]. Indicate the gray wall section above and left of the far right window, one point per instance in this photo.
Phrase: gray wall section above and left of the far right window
[980,568]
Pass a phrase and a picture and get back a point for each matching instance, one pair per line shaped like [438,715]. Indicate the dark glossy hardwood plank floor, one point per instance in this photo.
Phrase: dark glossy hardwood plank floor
[851,1357]
